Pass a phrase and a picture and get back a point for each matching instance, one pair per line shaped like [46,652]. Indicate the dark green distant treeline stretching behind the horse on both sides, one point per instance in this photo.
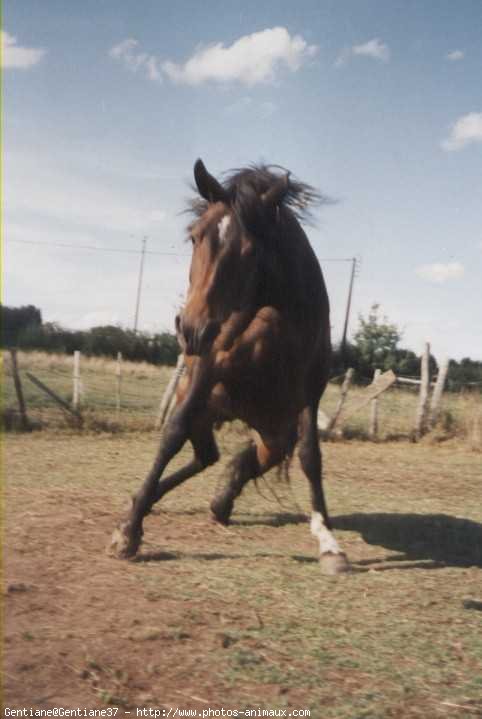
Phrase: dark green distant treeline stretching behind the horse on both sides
[23,327]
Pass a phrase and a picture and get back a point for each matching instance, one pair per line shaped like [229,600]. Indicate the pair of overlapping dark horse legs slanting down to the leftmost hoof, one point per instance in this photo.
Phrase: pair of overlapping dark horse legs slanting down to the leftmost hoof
[127,537]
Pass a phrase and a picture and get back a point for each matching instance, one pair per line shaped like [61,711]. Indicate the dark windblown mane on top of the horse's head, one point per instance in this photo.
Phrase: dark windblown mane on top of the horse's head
[255,180]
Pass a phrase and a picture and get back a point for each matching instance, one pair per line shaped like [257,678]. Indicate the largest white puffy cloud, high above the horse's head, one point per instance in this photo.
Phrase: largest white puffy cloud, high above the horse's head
[251,60]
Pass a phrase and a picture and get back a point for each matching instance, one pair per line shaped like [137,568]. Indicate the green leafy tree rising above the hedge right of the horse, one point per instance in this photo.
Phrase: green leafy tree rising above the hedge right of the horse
[376,341]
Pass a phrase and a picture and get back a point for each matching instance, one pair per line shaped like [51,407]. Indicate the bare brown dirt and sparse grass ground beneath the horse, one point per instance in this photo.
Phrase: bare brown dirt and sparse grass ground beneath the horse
[241,617]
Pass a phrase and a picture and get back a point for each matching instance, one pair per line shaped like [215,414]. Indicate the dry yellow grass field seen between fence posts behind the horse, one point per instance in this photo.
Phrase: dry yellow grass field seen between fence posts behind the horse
[143,386]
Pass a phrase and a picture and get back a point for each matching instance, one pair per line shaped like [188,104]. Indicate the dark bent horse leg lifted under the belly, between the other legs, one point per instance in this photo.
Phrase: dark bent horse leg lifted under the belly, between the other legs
[252,462]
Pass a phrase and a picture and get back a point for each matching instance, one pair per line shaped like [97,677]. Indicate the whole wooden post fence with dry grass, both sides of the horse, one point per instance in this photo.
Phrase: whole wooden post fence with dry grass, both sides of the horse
[116,394]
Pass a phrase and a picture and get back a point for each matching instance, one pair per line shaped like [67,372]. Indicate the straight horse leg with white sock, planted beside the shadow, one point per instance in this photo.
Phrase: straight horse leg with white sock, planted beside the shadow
[332,558]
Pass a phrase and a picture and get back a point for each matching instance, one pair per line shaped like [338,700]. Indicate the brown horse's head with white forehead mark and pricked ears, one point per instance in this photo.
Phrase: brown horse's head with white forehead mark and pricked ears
[225,256]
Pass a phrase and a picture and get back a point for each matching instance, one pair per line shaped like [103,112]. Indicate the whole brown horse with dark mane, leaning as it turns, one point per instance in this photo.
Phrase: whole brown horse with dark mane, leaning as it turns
[255,333]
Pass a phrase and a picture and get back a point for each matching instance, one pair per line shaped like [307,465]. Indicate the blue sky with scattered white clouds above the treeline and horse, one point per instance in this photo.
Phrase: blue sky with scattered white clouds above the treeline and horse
[107,104]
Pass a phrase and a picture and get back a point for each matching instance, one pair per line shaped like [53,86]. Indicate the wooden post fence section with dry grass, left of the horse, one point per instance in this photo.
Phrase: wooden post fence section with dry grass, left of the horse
[57,388]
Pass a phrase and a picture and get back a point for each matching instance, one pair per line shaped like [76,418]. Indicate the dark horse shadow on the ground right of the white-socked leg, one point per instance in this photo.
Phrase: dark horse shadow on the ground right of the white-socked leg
[440,538]
